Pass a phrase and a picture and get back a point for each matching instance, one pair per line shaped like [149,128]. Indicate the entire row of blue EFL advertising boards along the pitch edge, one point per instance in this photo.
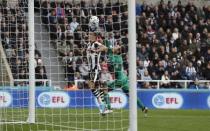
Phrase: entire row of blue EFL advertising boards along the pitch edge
[153,99]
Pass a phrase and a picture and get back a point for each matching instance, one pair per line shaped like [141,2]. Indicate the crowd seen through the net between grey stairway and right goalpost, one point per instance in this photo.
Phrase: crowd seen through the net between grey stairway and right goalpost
[67,23]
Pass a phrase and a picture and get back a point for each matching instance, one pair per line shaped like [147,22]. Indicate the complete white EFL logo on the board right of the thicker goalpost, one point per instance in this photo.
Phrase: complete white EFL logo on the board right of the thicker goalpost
[167,100]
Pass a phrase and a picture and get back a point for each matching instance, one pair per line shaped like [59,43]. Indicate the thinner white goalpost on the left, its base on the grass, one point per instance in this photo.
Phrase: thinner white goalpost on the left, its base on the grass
[31,116]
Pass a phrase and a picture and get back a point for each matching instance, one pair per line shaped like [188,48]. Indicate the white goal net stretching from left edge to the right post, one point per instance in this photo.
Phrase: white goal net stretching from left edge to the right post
[68,96]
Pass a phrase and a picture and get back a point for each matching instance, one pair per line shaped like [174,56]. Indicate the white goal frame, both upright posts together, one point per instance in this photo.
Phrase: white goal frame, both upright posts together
[132,65]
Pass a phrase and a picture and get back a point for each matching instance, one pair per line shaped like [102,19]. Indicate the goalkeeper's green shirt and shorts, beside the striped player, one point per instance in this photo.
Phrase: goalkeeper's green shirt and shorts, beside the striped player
[117,63]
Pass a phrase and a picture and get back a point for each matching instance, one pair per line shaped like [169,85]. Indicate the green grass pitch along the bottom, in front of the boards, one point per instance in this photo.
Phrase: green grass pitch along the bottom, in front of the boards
[90,120]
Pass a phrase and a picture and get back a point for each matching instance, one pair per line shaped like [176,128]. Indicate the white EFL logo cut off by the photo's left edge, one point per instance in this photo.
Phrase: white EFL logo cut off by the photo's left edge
[5,99]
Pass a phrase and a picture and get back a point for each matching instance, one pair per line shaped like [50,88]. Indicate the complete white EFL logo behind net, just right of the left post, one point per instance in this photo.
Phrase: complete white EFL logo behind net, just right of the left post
[54,99]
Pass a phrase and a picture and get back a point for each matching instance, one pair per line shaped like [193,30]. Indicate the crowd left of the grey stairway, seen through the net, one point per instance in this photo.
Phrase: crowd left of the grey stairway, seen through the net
[14,39]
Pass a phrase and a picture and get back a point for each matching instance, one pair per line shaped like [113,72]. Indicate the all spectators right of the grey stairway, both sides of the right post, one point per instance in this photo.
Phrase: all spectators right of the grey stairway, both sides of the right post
[173,40]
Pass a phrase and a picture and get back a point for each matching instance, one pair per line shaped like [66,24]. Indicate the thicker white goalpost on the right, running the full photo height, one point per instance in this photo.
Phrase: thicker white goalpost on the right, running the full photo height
[132,65]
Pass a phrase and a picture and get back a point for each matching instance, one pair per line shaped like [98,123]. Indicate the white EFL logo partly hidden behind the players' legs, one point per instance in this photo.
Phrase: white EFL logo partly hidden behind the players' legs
[118,100]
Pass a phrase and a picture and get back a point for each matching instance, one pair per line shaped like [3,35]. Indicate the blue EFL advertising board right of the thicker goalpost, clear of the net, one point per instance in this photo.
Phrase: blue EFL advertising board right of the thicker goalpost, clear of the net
[176,99]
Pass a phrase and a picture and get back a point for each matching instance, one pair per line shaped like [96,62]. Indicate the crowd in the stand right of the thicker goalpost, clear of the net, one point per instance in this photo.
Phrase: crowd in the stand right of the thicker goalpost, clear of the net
[173,42]
